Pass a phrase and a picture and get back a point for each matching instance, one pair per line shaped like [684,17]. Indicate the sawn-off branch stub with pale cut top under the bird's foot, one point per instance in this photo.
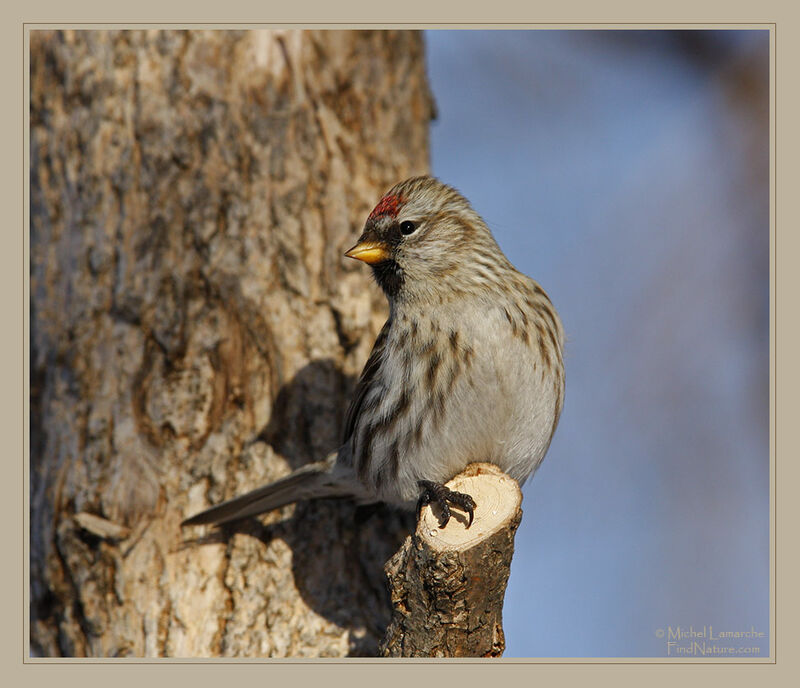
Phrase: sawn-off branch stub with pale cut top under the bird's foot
[447,586]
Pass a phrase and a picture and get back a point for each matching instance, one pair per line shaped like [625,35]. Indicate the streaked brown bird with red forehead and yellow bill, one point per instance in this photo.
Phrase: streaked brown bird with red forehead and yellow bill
[469,366]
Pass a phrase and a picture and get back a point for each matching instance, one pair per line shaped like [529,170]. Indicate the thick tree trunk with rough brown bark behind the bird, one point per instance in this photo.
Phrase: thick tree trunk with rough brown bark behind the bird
[195,331]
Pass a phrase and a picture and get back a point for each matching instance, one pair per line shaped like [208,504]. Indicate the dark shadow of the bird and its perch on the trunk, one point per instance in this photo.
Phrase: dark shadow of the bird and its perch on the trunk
[338,548]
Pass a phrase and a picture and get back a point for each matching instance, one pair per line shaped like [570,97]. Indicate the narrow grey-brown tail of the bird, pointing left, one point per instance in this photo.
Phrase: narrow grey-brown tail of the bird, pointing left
[312,481]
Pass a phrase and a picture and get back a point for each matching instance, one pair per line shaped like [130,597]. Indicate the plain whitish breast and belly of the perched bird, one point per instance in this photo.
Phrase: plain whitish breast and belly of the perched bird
[500,404]
